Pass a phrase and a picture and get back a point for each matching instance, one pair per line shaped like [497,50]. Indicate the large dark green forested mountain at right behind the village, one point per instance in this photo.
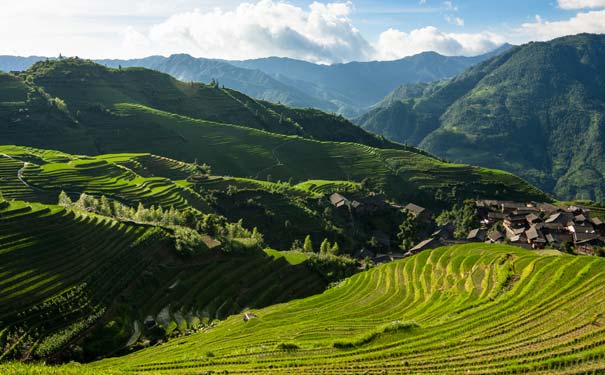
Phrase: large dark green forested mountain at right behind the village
[535,110]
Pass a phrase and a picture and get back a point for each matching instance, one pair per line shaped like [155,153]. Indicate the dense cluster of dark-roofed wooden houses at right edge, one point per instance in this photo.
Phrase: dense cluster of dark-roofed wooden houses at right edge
[538,225]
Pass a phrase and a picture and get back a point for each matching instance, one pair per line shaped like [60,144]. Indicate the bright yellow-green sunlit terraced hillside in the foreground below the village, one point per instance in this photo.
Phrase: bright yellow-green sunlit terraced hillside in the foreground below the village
[472,309]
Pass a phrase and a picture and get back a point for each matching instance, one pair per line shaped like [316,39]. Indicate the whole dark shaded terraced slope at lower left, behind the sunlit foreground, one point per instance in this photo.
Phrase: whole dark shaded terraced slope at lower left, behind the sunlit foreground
[72,278]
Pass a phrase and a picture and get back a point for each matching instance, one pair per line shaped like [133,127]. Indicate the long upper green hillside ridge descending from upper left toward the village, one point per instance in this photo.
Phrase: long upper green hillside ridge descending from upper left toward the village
[82,108]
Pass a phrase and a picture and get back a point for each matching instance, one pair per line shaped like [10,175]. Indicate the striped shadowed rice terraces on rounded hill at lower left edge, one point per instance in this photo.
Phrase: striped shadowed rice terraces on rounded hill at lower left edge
[59,268]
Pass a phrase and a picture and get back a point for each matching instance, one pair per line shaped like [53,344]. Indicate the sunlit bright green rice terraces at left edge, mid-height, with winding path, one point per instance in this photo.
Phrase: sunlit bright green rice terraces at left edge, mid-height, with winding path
[40,175]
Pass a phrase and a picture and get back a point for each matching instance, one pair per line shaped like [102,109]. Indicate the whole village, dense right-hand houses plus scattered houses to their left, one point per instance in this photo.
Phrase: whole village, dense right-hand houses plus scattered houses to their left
[532,226]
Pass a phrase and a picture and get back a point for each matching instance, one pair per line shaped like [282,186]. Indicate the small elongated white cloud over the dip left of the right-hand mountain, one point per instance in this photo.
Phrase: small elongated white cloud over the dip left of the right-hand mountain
[394,44]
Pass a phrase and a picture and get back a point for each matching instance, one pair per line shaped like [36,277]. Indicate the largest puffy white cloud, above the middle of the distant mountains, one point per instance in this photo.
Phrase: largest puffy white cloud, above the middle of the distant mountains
[321,33]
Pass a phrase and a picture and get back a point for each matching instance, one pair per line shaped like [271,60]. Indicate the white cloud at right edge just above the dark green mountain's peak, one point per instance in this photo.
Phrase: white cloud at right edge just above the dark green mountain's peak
[589,22]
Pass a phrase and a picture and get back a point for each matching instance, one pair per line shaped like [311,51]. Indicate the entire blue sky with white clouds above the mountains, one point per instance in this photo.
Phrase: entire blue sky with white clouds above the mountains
[318,31]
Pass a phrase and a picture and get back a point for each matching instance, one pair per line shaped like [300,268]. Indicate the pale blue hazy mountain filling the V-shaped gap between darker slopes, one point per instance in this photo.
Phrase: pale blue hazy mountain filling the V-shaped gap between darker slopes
[358,85]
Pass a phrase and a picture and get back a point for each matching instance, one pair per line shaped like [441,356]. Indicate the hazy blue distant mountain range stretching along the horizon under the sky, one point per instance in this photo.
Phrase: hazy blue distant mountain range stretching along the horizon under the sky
[347,89]
